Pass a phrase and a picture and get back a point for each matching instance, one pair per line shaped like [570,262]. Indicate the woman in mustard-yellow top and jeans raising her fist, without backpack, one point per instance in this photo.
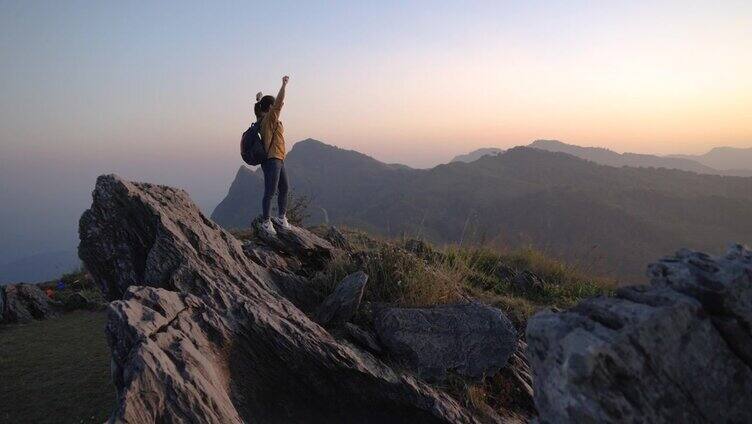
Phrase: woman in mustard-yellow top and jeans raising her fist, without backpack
[267,111]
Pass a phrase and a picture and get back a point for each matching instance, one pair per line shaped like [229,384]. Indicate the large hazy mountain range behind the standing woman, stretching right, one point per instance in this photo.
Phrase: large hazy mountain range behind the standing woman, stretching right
[612,219]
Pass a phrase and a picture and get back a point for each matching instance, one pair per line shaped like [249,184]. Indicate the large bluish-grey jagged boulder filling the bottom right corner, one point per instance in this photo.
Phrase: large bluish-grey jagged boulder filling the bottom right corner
[677,350]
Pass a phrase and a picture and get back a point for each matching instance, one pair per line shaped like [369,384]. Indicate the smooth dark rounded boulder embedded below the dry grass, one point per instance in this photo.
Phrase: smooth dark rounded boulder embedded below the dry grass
[468,339]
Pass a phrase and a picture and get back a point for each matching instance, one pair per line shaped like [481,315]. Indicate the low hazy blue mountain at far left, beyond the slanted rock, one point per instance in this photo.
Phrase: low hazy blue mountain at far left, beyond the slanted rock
[39,267]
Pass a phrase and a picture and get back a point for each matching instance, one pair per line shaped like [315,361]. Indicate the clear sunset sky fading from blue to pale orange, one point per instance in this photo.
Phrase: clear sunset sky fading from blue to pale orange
[161,91]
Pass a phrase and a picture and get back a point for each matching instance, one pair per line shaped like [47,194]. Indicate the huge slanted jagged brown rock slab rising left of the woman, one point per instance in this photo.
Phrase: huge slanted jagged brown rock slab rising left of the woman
[202,333]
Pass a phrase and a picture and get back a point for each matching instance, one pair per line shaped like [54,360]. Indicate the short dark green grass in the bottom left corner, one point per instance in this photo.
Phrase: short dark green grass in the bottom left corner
[56,371]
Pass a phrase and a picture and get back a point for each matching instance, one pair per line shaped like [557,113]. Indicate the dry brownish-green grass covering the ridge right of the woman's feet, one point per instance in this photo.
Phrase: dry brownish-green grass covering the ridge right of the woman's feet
[437,275]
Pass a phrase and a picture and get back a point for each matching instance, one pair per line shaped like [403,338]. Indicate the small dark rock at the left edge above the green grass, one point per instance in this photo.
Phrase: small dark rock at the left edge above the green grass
[26,302]
